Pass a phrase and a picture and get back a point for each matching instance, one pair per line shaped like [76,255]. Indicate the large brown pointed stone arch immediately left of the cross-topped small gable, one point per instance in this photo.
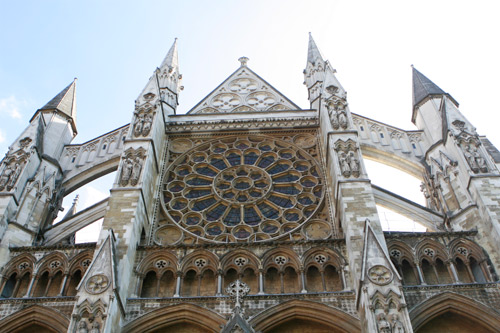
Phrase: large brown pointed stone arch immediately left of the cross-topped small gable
[177,314]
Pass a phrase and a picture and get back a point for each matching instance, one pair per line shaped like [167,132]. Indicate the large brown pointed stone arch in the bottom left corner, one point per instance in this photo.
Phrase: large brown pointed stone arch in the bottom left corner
[35,315]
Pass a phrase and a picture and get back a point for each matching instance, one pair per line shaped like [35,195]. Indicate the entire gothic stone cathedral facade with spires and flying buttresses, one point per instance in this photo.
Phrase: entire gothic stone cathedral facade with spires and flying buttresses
[250,214]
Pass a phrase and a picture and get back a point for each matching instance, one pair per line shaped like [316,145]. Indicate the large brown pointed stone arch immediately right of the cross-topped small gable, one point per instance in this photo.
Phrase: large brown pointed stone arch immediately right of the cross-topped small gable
[305,310]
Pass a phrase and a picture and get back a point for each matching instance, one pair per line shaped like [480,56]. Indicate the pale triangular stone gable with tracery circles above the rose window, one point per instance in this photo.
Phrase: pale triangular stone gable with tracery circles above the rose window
[244,91]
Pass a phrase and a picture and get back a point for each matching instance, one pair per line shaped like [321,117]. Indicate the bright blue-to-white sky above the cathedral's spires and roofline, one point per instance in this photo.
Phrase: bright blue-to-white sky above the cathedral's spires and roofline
[114,46]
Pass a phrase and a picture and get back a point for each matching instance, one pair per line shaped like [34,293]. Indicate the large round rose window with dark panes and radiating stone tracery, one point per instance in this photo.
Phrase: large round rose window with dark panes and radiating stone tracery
[242,189]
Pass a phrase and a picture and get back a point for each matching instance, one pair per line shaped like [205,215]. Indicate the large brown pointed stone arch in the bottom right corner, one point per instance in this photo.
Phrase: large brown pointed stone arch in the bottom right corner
[458,304]
